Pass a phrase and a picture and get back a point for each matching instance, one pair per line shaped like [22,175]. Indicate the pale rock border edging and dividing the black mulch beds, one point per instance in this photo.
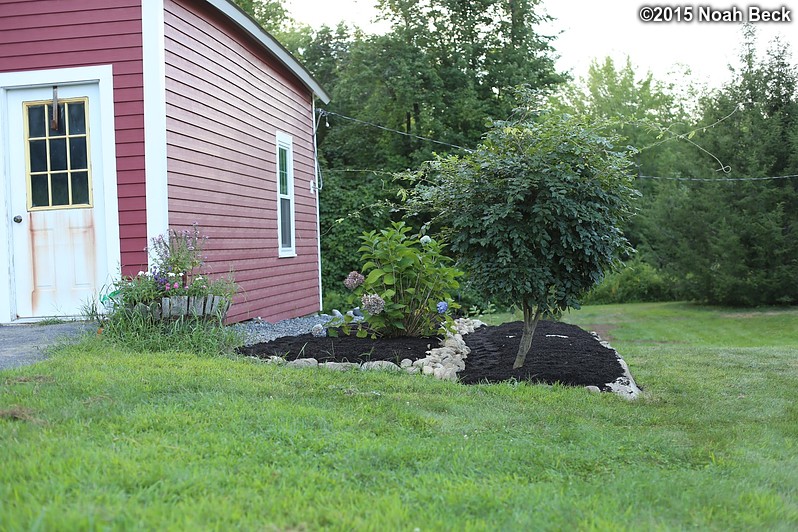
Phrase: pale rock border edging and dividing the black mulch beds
[446,361]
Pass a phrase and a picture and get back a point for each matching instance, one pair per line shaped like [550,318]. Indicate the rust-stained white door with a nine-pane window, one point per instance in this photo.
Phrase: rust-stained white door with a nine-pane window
[56,199]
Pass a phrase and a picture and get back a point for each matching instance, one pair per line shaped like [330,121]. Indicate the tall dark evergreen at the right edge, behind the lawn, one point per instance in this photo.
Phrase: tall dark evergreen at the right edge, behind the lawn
[736,242]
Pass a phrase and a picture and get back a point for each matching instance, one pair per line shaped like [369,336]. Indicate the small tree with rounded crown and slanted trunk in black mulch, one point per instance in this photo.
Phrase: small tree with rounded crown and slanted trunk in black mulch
[535,212]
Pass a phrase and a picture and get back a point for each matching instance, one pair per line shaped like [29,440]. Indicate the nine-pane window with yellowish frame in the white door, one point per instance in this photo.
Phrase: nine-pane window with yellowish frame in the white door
[57,158]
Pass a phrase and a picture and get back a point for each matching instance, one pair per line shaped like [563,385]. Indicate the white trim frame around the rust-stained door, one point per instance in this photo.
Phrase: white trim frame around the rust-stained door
[103,76]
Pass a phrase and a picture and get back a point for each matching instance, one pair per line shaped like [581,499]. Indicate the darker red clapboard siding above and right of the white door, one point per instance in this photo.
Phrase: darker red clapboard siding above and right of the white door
[47,34]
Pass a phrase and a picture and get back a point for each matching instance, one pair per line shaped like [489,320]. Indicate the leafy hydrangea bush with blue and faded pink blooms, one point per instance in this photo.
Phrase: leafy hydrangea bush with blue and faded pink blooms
[406,285]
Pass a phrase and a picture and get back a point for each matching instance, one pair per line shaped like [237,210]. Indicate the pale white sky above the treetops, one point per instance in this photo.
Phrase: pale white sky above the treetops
[593,29]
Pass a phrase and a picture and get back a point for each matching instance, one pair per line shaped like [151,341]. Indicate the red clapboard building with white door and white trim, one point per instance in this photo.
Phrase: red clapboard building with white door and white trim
[168,112]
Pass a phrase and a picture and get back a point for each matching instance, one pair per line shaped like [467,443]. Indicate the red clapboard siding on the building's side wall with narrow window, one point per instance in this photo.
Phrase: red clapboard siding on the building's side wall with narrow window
[226,98]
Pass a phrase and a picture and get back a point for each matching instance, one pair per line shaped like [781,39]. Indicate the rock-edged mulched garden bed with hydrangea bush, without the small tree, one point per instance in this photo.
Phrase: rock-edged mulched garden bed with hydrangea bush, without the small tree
[404,322]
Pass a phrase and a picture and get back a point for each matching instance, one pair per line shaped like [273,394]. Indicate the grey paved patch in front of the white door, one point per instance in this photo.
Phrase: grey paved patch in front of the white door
[21,345]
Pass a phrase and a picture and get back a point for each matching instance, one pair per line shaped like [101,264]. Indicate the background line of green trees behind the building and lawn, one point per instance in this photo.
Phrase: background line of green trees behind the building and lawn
[704,231]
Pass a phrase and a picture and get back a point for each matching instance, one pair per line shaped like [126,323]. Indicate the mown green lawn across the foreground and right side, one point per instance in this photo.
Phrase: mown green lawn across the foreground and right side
[102,438]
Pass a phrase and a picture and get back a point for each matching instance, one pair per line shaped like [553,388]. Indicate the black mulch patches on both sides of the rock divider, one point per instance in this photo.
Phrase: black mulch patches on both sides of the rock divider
[577,360]
